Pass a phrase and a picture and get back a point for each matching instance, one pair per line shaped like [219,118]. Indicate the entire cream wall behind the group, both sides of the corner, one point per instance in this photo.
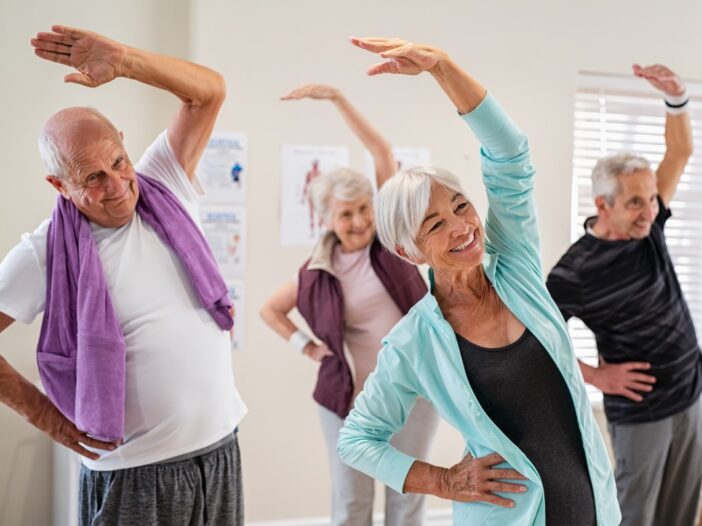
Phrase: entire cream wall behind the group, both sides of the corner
[527,53]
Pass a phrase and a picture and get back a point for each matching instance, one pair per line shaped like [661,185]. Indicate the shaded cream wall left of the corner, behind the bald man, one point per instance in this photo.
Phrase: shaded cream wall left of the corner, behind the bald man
[31,91]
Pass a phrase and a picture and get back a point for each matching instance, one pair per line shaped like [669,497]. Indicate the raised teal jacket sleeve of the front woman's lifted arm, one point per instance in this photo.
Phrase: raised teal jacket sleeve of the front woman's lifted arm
[511,225]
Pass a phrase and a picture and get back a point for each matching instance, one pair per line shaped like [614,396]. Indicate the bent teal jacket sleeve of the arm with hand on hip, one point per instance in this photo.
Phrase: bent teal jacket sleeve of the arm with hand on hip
[379,412]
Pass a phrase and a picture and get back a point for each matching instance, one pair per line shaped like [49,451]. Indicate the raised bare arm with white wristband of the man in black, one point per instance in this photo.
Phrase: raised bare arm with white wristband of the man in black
[678,130]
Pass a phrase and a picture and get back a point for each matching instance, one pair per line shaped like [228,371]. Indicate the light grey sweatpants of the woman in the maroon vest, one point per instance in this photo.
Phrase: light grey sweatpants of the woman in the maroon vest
[352,491]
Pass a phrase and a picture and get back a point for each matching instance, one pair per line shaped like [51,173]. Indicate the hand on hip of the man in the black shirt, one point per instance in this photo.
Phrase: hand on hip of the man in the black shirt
[624,379]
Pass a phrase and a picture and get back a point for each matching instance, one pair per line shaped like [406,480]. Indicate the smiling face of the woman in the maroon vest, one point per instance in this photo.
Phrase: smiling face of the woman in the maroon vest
[352,222]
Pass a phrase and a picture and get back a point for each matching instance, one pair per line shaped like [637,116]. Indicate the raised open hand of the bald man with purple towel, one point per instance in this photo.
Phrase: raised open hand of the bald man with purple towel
[97,58]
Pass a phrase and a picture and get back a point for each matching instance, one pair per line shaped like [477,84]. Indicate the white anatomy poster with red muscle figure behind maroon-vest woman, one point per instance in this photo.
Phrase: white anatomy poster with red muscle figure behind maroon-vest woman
[300,166]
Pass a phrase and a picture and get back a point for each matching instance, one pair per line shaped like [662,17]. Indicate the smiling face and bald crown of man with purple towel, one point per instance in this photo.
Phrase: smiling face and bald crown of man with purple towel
[101,181]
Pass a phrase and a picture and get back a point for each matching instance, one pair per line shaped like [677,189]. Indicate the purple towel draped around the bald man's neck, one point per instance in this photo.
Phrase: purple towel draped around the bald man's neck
[81,351]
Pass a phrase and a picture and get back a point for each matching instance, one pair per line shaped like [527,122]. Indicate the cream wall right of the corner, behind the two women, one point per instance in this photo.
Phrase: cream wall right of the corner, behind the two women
[527,53]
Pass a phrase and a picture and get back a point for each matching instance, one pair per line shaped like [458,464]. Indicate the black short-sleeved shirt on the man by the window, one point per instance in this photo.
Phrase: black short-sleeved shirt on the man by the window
[628,295]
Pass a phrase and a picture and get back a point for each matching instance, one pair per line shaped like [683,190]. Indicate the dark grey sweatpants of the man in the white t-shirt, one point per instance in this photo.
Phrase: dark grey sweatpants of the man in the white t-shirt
[197,491]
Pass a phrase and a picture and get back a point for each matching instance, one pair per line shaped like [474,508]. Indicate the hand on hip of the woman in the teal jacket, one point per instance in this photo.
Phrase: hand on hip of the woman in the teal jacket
[475,479]
